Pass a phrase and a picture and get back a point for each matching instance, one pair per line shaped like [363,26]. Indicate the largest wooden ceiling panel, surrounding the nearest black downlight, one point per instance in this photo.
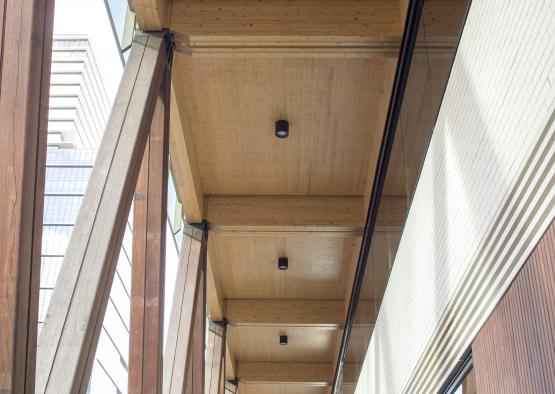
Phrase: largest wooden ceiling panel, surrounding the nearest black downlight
[328,102]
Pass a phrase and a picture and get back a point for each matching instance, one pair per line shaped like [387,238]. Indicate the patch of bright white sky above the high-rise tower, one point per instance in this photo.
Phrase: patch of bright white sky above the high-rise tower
[90,18]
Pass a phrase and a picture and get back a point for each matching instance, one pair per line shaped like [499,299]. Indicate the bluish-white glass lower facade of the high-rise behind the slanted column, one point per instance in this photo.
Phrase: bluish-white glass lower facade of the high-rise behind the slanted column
[67,174]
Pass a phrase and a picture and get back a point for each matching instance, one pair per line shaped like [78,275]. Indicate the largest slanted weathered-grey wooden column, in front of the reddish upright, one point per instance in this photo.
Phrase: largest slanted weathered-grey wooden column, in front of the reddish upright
[68,339]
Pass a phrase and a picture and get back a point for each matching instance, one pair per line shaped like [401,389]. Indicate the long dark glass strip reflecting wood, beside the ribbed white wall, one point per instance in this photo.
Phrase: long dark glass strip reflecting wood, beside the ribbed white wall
[429,70]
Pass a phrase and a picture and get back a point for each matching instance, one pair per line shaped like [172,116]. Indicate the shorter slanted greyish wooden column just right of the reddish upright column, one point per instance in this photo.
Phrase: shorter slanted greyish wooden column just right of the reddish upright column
[184,355]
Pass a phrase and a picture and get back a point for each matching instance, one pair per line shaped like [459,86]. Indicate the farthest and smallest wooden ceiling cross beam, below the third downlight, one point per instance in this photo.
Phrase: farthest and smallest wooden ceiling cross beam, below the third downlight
[314,374]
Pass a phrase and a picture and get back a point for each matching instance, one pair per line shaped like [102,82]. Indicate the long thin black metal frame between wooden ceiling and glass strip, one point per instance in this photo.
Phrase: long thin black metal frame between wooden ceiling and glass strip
[401,75]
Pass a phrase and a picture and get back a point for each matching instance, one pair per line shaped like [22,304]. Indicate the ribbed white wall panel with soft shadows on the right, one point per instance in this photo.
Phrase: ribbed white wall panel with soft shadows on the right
[485,196]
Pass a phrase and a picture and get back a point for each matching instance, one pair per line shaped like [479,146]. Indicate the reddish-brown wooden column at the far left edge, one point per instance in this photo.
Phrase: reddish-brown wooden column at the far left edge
[25,53]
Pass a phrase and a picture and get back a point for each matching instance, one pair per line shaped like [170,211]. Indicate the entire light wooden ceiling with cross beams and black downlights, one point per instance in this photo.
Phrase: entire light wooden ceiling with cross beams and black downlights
[327,66]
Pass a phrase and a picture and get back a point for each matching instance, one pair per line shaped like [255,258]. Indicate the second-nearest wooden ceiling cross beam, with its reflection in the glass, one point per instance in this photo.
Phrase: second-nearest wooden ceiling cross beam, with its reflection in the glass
[312,214]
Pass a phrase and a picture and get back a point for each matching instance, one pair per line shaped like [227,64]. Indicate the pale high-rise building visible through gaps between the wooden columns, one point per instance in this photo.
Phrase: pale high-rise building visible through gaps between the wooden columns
[79,109]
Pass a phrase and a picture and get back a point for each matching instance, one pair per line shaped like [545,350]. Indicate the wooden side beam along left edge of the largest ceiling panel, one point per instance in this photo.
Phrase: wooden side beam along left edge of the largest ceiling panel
[183,157]
